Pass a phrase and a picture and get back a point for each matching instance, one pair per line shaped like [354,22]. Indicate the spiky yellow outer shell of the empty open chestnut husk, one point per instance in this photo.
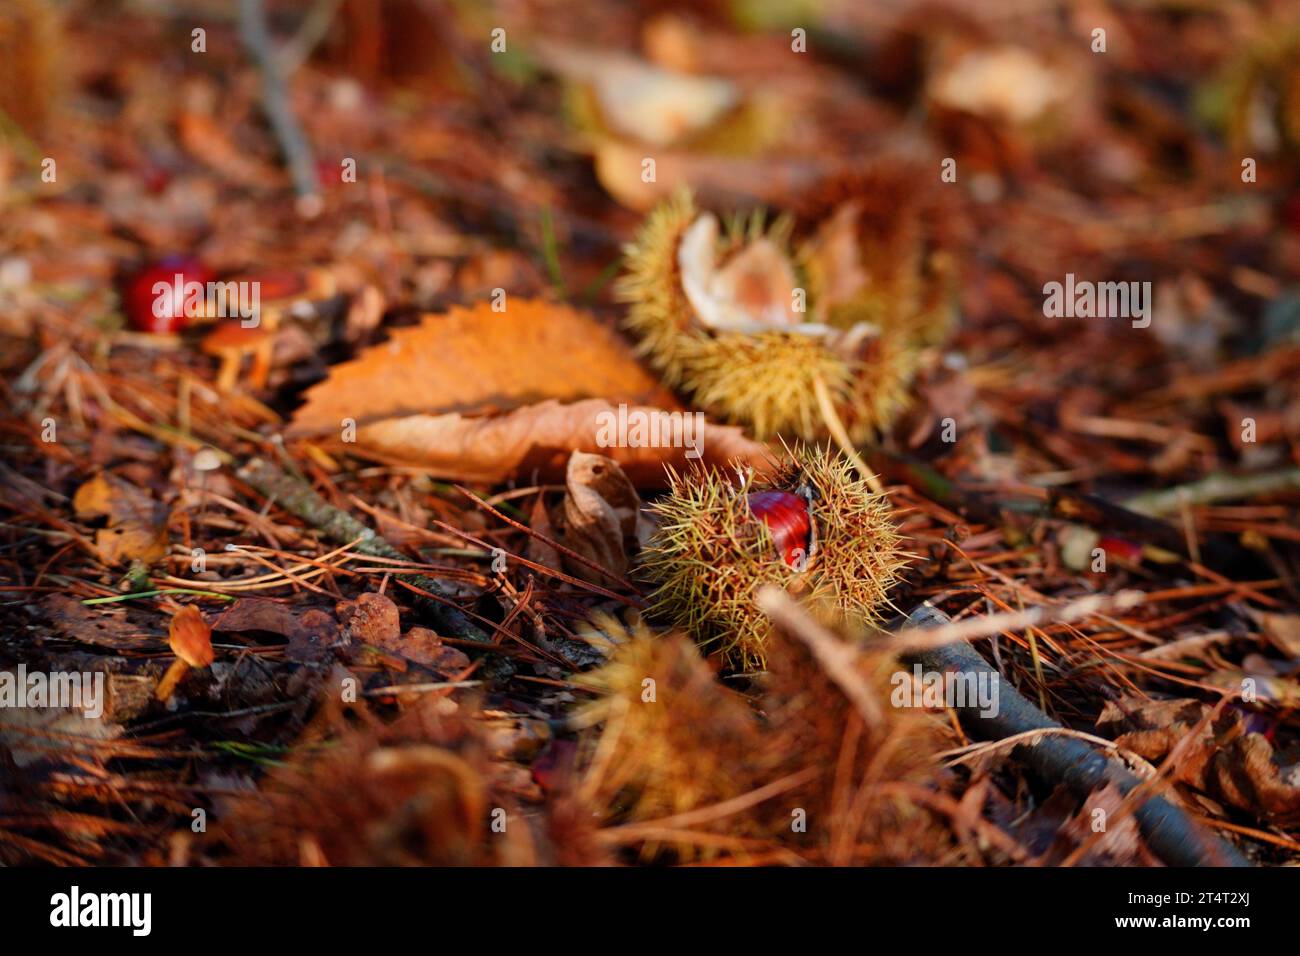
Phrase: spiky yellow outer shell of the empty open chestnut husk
[768,382]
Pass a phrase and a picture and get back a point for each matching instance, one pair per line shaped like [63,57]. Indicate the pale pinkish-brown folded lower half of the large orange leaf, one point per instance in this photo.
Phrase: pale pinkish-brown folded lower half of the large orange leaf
[540,439]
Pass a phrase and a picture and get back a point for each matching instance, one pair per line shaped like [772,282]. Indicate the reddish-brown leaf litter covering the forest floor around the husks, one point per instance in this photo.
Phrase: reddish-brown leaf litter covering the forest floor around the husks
[426,602]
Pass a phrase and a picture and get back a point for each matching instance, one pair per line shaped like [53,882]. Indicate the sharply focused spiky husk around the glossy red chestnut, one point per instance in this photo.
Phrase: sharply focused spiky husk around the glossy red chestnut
[710,557]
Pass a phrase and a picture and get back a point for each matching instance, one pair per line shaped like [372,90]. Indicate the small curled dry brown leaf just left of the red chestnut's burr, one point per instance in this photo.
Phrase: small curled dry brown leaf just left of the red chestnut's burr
[603,516]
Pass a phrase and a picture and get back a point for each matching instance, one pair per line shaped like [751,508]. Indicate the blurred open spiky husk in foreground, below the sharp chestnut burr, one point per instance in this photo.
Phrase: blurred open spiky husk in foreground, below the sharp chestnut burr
[838,790]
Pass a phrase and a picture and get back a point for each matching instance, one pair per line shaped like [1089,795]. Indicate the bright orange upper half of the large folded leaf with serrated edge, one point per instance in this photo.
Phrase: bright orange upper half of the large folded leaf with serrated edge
[475,361]
